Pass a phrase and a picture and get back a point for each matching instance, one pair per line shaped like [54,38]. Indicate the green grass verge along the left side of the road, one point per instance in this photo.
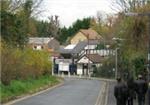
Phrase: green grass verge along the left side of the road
[17,88]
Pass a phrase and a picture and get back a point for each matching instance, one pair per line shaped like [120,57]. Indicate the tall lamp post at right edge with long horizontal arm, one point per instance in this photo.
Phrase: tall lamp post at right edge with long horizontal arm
[148,30]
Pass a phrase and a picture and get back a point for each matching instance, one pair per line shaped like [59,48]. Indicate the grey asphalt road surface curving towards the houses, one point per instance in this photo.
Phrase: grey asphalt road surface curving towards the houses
[73,92]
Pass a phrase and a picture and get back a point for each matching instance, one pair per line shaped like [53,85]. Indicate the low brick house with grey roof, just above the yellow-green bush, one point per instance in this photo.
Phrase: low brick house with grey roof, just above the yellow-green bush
[43,43]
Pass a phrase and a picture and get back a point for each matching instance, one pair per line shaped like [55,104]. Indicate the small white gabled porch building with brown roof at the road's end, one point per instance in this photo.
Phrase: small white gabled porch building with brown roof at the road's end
[86,63]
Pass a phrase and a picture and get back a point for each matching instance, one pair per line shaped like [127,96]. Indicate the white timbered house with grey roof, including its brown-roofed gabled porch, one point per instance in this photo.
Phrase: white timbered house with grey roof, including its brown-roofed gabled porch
[83,55]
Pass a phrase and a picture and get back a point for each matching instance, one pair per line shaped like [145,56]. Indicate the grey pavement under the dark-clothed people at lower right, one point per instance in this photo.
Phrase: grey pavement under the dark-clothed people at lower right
[111,98]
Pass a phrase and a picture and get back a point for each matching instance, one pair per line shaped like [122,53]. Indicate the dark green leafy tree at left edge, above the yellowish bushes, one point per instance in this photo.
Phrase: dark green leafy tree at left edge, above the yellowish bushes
[12,29]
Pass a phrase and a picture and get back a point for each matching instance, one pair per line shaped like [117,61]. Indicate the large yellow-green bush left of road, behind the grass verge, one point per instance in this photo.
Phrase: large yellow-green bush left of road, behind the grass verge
[22,64]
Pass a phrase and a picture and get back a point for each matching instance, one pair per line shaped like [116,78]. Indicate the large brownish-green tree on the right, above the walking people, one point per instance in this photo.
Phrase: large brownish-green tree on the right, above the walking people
[134,32]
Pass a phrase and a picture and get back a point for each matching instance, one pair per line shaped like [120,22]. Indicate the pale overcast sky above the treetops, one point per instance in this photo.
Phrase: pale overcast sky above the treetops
[71,10]
